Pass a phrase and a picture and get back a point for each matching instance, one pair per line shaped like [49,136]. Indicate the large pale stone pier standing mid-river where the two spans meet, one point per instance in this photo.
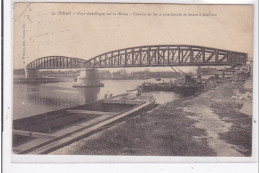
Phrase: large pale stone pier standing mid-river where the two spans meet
[88,78]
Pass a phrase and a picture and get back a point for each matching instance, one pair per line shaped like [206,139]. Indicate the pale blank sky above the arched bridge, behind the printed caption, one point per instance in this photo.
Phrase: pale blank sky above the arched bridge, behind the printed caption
[40,30]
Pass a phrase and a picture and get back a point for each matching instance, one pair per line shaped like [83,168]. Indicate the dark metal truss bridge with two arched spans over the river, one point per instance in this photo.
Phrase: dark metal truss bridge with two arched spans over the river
[147,56]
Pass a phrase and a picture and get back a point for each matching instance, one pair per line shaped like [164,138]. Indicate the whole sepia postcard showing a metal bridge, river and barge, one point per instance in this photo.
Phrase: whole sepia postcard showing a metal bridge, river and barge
[125,79]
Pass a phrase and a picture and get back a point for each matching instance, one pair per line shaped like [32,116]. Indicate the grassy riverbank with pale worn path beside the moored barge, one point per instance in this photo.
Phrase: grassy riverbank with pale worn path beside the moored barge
[209,124]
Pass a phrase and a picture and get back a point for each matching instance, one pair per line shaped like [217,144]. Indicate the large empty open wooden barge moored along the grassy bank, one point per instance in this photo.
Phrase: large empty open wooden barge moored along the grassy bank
[47,132]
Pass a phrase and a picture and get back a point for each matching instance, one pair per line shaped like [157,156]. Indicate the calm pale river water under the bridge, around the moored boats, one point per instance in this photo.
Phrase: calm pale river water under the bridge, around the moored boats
[29,100]
